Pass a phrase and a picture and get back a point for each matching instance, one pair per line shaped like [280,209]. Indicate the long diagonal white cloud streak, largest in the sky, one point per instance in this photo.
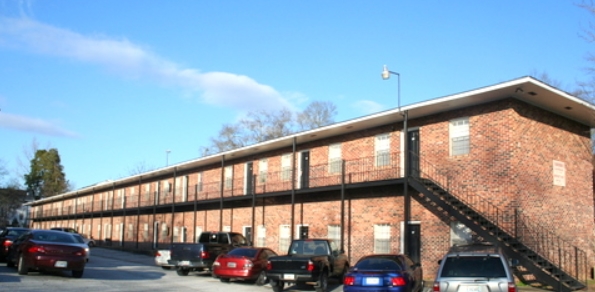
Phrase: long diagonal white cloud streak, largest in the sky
[131,60]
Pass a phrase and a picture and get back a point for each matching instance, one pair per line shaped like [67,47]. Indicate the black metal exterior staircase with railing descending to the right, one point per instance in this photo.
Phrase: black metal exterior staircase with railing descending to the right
[548,265]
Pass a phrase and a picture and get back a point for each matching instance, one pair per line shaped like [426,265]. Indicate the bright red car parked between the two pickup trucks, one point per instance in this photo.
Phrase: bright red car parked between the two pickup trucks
[243,263]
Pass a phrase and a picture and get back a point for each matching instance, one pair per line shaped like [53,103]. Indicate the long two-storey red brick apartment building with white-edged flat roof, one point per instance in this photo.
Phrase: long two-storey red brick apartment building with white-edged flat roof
[508,163]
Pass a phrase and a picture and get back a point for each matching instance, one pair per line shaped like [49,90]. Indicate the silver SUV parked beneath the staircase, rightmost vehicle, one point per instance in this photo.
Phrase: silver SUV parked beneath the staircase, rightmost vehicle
[479,267]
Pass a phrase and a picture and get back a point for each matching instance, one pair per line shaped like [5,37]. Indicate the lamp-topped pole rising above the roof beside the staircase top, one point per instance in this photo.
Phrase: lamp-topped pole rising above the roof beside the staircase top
[406,199]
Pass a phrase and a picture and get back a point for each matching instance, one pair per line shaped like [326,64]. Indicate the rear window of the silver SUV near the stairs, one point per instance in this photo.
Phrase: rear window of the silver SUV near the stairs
[474,266]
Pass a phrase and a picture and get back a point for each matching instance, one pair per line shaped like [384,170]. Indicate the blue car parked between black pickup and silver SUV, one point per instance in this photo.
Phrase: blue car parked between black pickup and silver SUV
[384,273]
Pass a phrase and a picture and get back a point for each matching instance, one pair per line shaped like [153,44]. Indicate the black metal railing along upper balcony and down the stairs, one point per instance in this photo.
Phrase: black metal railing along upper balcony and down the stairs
[366,169]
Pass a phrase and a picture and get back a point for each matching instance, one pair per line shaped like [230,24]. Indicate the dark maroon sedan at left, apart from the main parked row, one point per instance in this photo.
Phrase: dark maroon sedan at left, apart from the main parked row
[49,250]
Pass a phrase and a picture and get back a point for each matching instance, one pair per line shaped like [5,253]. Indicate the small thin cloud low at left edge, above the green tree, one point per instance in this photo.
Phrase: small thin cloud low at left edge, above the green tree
[26,124]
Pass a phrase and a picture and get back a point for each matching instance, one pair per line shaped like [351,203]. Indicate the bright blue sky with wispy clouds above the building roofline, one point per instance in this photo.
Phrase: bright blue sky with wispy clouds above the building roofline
[115,84]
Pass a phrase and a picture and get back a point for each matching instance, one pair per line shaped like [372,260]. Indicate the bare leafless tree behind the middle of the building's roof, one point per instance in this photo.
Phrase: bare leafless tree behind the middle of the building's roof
[258,126]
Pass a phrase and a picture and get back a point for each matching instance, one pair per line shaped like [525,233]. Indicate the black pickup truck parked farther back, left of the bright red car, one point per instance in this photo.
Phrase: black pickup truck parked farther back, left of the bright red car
[187,257]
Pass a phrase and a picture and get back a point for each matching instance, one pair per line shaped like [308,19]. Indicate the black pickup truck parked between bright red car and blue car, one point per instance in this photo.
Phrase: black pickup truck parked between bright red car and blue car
[308,261]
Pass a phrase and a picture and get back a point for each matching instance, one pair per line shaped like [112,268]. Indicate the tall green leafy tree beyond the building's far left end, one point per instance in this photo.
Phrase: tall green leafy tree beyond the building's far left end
[46,177]
